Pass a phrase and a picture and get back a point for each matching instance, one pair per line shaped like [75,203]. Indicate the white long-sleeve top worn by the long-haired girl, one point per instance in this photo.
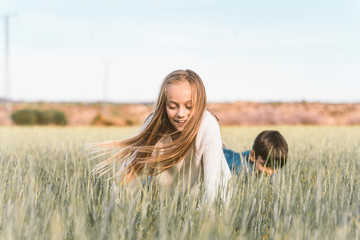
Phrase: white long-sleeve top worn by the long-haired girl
[206,157]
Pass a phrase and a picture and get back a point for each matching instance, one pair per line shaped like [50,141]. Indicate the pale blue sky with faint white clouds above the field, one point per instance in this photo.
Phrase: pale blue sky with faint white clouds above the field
[268,50]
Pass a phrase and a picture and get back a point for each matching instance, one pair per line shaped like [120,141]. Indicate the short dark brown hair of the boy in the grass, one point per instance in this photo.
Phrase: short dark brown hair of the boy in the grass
[272,147]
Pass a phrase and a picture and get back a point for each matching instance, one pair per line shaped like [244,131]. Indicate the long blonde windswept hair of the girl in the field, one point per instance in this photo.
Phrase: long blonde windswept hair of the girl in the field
[134,155]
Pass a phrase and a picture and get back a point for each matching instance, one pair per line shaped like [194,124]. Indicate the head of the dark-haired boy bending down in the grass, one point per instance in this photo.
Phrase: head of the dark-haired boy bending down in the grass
[269,151]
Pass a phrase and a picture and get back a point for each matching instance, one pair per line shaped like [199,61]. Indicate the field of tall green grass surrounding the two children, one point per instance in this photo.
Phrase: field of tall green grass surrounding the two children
[47,190]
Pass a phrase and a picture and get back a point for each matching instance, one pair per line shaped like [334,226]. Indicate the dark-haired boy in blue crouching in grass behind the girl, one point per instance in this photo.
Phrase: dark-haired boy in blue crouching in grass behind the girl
[268,154]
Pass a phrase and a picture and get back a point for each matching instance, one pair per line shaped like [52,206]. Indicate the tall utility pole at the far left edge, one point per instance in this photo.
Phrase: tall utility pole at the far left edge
[7,108]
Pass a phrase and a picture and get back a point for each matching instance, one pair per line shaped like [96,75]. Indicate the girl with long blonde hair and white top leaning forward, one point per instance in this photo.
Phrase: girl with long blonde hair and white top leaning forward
[179,136]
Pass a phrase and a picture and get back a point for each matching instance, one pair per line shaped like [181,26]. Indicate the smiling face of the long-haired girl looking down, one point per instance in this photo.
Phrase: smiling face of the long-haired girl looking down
[178,104]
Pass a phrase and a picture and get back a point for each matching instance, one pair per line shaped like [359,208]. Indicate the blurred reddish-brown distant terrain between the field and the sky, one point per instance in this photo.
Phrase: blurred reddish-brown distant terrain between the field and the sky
[234,113]
